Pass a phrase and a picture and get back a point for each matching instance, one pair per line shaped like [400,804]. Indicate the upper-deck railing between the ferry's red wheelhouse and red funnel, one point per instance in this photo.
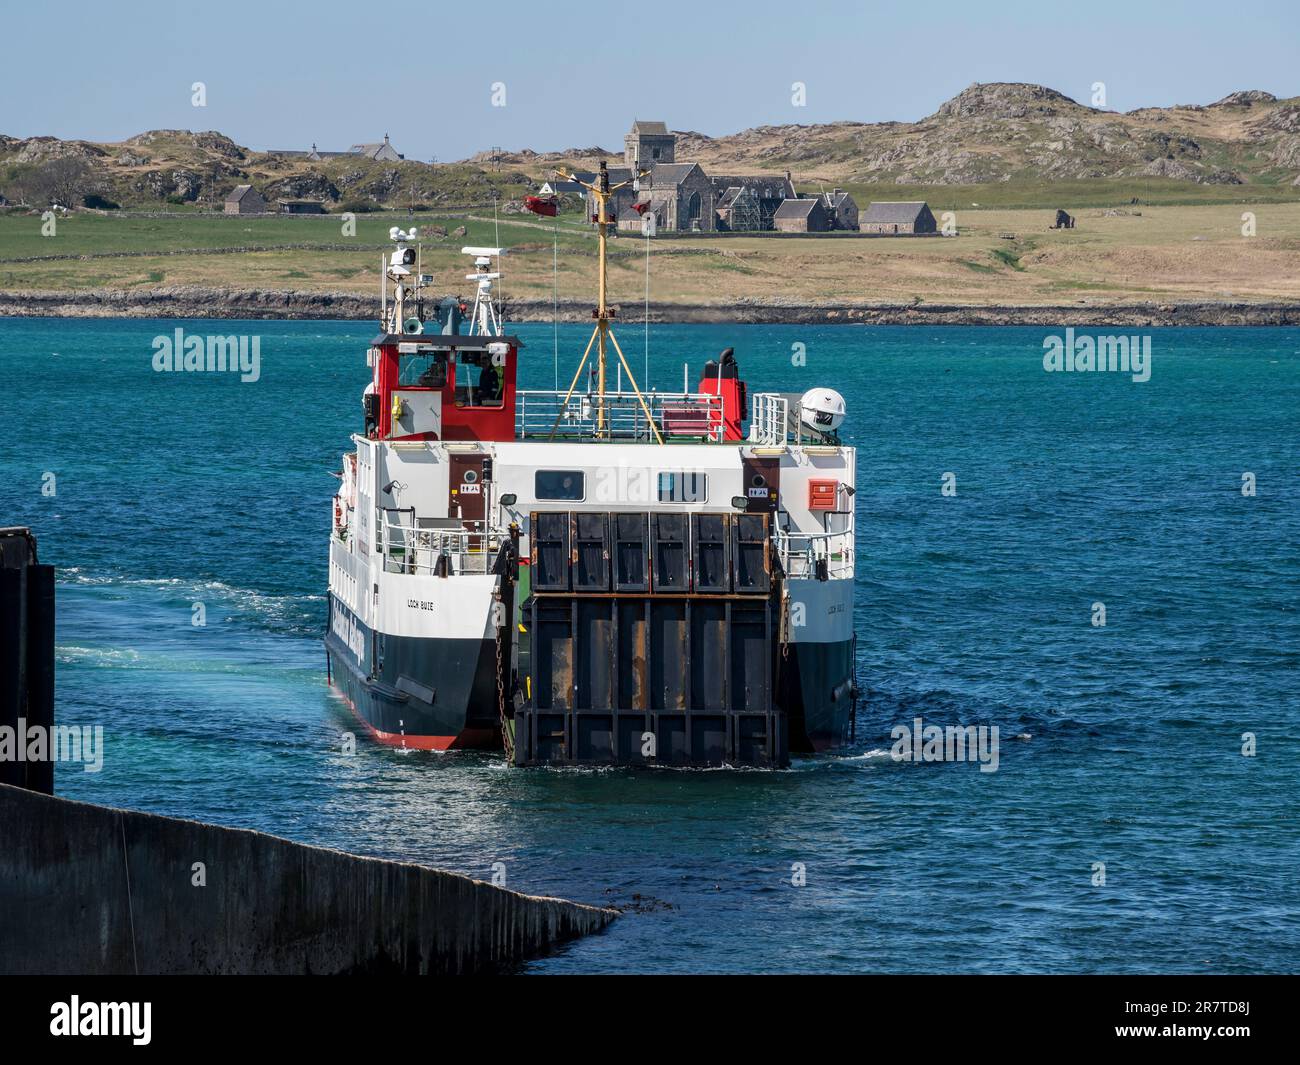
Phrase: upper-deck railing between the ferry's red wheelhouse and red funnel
[684,415]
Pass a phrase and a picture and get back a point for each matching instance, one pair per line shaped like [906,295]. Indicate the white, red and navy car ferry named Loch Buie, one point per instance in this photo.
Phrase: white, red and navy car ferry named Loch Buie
[591,577]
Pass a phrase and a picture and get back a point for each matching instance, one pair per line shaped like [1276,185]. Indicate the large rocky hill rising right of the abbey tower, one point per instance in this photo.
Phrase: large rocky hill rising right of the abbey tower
[1013,132]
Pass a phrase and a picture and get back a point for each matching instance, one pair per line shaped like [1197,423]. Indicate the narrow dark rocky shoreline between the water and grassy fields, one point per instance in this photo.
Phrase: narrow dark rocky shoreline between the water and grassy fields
[291,305]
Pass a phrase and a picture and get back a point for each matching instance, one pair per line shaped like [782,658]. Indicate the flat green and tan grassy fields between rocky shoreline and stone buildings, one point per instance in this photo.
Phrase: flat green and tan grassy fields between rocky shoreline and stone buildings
[1165,254]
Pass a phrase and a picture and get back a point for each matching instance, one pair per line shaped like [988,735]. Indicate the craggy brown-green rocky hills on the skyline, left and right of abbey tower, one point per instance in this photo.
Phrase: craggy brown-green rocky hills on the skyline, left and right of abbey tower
[1002,132]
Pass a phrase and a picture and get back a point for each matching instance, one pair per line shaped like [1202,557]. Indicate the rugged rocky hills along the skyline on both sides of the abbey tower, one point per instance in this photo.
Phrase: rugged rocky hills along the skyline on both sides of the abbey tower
[1000,145]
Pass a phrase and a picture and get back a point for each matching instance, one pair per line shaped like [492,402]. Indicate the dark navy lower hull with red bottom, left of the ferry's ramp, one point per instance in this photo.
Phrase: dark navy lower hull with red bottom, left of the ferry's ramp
[415,692]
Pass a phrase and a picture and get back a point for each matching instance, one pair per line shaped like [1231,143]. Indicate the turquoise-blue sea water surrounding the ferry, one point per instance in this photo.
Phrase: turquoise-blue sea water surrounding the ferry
[1119,744]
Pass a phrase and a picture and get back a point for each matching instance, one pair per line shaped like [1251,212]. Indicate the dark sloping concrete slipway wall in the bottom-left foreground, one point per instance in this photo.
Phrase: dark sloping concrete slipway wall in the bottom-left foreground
[90,890]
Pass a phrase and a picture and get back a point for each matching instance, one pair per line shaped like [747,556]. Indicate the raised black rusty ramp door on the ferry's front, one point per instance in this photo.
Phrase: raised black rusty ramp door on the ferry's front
[653,640]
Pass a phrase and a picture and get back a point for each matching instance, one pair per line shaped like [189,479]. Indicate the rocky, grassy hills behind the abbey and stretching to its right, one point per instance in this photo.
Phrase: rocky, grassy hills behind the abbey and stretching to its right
[1011,145]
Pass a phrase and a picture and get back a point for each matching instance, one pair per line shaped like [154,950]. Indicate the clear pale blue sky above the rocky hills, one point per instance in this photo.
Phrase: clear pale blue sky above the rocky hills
[281,76]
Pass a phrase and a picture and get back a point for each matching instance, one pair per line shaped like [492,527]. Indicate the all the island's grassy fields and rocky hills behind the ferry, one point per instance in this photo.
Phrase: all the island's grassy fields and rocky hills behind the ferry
[1159,196]
